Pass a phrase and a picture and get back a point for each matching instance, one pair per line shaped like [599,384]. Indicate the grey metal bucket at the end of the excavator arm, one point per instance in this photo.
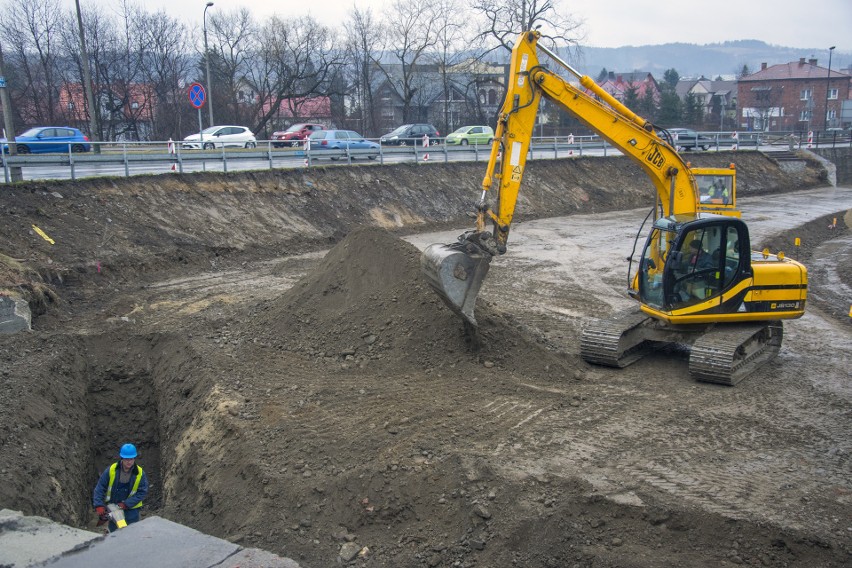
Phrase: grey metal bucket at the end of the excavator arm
[456,272]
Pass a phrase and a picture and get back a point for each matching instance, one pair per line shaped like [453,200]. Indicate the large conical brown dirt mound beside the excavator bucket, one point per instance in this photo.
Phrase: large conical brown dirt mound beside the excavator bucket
[367,301]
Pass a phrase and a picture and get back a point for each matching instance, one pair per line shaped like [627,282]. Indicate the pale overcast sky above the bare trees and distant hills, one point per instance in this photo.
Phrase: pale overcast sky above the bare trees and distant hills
[812,24]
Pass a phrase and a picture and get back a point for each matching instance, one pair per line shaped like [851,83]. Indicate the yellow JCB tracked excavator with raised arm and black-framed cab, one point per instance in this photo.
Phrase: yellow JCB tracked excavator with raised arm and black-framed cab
[697,282]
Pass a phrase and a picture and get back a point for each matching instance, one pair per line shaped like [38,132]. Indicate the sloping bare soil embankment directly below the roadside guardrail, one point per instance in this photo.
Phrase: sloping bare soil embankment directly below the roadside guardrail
[122,227]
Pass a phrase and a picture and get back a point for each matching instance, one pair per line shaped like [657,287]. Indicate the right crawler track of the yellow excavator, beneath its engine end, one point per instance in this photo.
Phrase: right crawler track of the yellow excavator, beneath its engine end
[728,354]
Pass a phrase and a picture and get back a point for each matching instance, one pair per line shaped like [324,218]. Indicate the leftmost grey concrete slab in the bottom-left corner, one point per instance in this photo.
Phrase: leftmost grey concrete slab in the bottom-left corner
[25,541]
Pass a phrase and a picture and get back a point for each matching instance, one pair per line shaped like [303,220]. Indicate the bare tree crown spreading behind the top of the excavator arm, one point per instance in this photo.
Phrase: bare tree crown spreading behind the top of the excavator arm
[503,20]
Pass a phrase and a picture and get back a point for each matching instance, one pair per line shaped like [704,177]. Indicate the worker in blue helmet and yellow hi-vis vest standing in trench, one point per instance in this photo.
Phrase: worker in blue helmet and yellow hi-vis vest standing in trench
[125,484]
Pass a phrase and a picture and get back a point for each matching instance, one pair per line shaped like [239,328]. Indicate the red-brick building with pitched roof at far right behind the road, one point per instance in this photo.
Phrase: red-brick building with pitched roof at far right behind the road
[798,96]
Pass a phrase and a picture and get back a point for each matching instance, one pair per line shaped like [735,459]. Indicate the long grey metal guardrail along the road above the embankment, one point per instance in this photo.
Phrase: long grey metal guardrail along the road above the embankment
[137,158]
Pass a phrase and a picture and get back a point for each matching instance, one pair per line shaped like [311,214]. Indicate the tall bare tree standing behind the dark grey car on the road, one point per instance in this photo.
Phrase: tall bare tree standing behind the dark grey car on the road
[411,33]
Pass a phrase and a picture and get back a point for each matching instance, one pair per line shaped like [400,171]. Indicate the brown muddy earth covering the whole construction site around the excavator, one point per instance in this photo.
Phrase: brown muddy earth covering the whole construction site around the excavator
[294,399]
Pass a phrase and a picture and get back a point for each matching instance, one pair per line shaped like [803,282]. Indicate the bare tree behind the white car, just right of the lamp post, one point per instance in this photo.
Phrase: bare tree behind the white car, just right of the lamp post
[232,42]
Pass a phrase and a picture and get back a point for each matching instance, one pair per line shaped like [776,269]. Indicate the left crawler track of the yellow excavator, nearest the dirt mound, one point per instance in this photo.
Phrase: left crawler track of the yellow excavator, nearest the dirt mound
[615,341]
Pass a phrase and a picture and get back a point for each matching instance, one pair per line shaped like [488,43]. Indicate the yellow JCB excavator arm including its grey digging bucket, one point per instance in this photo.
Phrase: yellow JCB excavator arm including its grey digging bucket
[457,271]
